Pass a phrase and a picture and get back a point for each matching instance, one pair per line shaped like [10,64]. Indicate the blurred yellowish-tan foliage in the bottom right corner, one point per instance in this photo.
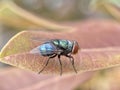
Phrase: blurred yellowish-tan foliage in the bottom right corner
[103,80]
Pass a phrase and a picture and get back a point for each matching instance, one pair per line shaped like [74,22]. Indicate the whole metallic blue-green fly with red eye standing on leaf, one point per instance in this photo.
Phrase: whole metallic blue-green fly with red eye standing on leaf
[57,48]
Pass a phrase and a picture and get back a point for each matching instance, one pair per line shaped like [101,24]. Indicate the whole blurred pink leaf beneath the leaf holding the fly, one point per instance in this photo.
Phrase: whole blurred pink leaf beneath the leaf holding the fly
[14,79]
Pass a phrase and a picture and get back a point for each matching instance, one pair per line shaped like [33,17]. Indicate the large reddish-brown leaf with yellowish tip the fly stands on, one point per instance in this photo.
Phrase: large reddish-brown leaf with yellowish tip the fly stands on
[99,42]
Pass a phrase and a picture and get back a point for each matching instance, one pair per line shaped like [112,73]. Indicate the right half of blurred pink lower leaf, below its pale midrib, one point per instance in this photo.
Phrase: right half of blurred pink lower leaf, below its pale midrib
[61,83]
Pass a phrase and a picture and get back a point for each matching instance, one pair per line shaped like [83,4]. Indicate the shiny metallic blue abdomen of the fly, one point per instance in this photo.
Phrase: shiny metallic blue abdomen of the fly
[47,49]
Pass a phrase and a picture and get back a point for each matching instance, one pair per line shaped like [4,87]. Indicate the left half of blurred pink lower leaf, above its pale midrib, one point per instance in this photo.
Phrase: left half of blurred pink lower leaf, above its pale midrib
[13,79]
